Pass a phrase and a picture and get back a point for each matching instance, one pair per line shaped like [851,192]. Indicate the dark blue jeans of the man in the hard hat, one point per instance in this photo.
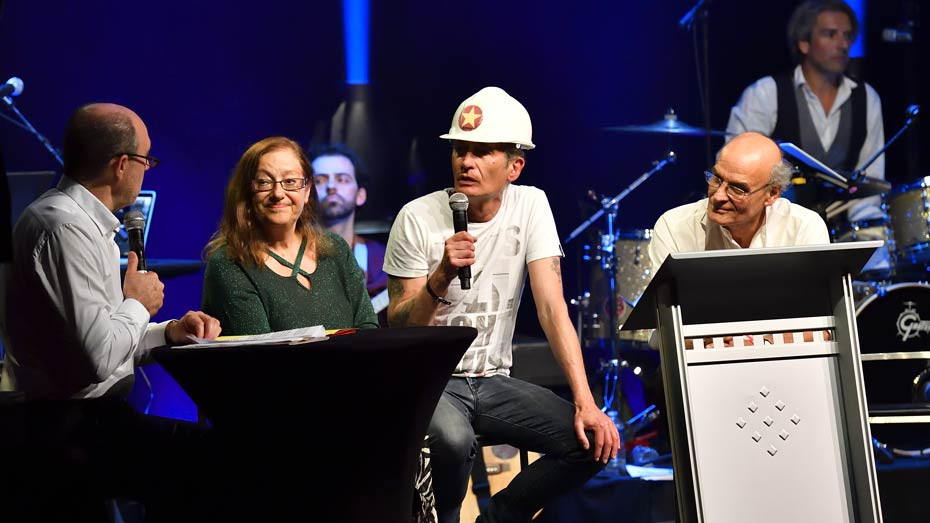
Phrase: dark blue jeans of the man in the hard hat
[504,410]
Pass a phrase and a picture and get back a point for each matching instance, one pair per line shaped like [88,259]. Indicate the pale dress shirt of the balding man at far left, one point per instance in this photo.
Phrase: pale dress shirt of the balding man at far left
[72,333]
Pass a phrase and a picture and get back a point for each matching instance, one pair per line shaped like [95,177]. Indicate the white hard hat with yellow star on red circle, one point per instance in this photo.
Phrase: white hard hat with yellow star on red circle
[492,116]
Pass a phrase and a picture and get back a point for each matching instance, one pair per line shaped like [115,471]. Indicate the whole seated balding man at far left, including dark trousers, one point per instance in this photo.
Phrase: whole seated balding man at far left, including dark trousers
[77,332]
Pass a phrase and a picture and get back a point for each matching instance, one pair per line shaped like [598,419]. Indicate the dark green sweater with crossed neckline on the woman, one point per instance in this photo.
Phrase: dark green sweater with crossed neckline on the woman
[255,300]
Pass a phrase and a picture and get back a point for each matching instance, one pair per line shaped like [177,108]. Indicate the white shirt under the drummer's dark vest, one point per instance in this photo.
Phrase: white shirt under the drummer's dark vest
[757,110]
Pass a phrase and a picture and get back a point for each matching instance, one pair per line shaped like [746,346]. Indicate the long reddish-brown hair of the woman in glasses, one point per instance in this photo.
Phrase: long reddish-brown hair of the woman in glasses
[240,230]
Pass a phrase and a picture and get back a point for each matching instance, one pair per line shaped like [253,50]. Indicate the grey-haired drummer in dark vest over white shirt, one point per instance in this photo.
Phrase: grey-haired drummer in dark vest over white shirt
[816,106]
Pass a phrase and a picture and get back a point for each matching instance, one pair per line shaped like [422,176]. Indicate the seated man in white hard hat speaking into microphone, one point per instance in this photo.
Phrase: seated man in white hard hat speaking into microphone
[511,233]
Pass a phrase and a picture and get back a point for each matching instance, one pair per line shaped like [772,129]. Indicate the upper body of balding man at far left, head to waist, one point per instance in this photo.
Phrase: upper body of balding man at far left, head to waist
[75,331]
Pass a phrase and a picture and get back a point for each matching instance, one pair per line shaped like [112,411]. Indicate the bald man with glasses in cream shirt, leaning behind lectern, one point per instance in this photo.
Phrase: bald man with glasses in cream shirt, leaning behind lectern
[742,208]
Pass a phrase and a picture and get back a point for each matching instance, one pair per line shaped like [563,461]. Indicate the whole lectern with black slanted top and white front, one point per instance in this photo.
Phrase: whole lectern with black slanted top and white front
[770,432]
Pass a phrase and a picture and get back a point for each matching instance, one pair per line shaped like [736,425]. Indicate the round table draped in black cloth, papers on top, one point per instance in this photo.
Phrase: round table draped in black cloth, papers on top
[326,431]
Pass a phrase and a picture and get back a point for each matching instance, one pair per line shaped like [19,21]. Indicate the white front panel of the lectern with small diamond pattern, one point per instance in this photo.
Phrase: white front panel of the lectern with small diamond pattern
[767,444]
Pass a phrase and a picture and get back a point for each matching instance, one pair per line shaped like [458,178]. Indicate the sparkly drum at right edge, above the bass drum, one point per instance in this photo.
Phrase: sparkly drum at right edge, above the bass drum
[910,223]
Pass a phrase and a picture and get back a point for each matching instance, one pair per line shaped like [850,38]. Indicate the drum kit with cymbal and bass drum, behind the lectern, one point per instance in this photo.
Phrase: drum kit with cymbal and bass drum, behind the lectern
[891,293]
